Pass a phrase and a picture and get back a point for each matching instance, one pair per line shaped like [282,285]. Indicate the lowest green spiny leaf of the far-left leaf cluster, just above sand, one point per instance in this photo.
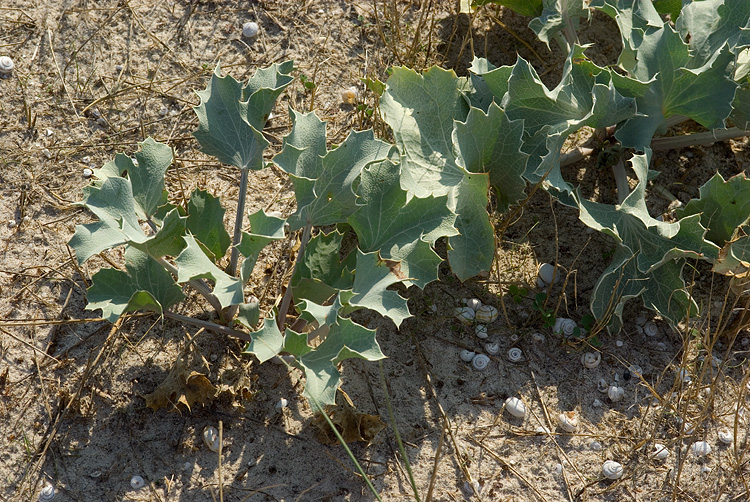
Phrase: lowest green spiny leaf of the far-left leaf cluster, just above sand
[145,285]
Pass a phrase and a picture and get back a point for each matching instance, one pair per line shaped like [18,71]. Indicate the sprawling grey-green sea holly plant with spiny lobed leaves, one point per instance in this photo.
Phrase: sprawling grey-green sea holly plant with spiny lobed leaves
[370,212]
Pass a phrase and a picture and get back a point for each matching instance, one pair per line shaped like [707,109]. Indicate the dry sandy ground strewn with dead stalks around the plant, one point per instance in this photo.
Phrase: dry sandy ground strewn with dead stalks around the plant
[94,78]
